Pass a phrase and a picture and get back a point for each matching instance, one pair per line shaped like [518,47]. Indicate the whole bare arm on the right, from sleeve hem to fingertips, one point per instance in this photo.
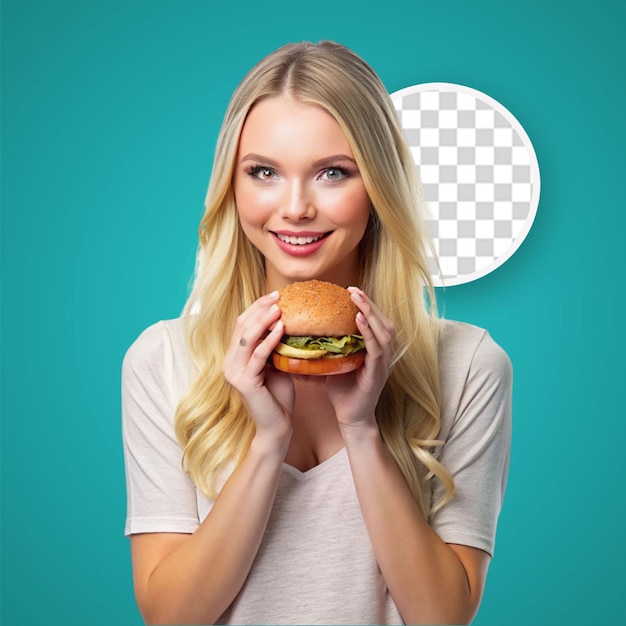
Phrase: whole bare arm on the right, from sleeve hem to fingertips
[430,581]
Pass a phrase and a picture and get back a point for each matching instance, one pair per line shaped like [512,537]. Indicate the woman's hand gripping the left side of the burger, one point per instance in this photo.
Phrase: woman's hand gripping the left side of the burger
[268,394]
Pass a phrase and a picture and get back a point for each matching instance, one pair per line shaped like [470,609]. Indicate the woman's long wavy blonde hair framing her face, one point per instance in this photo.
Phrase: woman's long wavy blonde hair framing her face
[211,422]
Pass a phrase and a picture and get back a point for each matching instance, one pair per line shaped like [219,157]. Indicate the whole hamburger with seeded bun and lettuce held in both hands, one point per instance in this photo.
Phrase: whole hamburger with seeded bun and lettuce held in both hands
[321,336]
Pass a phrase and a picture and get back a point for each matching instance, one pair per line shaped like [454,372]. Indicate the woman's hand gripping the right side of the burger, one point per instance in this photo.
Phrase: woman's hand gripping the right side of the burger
[354,395]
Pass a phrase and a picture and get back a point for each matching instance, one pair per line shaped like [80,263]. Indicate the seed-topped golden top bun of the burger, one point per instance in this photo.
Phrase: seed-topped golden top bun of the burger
[317,308]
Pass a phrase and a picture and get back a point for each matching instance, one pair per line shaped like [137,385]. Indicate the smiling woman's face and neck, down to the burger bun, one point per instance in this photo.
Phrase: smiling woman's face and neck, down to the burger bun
[299,193]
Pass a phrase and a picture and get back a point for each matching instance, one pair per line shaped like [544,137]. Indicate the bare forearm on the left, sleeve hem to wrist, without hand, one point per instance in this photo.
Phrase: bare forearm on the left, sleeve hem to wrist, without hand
[193,579]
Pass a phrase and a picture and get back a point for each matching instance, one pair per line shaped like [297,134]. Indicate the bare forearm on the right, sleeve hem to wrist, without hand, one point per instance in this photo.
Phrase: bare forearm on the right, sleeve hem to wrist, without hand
[430,581]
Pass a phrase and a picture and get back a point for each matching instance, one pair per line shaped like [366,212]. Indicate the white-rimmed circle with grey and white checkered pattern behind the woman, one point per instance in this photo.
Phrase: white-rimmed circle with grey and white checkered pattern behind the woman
[480,176]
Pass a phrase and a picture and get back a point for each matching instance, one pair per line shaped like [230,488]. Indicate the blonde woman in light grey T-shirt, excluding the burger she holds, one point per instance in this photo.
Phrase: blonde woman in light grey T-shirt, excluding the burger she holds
[260,497]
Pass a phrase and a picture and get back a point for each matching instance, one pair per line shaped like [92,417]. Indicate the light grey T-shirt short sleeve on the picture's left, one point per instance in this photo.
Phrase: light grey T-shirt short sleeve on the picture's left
[160,495]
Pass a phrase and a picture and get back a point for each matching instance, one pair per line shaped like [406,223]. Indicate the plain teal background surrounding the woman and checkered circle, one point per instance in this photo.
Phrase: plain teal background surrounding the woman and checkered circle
[110,112]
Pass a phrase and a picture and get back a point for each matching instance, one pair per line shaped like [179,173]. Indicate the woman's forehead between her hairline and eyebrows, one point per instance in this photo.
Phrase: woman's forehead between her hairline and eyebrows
[283,124]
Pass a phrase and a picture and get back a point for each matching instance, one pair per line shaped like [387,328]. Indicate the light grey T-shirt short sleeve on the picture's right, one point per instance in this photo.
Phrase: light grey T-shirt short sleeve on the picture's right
[476,447]
